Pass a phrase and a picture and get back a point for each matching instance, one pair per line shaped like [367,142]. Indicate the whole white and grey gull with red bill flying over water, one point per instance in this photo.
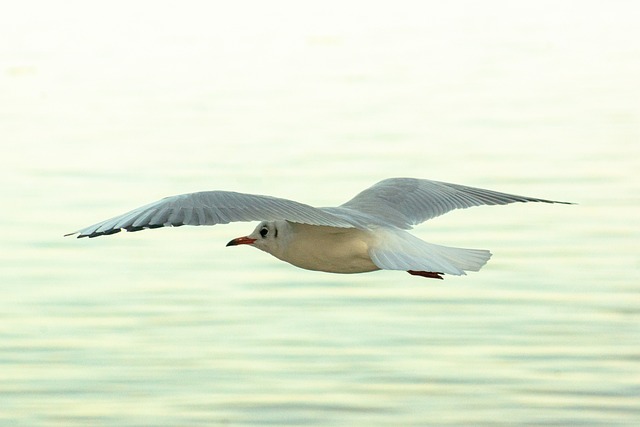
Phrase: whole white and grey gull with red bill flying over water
[367,233]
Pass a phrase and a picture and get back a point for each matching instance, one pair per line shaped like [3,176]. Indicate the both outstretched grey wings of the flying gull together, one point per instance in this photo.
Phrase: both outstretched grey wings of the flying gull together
[394,202]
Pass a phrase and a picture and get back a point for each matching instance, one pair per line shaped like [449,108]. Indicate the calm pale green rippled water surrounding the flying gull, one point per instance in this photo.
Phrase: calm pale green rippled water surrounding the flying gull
[105,110]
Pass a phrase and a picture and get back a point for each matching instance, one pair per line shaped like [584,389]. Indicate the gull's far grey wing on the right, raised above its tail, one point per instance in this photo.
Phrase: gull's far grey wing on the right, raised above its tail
[405,202]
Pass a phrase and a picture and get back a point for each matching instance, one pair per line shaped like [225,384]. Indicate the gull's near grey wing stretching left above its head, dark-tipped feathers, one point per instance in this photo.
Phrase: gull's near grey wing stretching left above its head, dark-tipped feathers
[213,207]
